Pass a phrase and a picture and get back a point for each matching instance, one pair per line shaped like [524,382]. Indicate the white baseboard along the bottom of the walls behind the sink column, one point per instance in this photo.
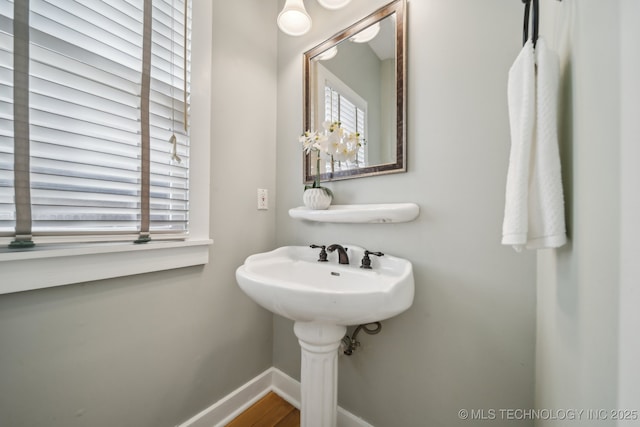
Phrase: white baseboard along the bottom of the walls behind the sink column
[229,407]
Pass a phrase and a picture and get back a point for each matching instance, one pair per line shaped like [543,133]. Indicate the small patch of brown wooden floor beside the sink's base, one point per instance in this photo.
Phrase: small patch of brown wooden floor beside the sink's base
[270,411]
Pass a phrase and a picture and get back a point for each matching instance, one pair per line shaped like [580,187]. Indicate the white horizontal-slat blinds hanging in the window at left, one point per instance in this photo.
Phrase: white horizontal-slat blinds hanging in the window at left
[86,117]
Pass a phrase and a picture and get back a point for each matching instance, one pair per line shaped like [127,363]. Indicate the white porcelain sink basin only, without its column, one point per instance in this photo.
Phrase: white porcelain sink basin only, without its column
[290,281]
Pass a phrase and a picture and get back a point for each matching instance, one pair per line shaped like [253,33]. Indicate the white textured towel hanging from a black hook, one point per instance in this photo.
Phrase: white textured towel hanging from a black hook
[534,204]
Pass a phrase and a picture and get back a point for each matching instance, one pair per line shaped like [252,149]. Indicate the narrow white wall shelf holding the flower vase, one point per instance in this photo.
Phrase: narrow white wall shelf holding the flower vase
[368,214]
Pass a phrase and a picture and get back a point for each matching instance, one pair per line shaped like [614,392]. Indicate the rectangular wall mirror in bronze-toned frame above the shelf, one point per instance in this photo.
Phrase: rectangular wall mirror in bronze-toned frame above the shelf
[357,78]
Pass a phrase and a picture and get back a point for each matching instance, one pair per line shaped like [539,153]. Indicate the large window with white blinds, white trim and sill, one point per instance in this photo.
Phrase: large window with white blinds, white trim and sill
[54,261]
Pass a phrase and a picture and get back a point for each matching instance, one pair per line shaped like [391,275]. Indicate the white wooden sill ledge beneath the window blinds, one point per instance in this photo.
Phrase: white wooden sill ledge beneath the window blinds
[59,265]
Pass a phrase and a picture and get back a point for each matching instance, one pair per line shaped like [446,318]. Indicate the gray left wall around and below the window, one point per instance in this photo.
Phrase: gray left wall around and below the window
[154,350]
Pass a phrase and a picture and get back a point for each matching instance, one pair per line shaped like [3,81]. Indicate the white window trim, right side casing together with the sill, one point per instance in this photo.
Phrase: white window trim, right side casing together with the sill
[49,265]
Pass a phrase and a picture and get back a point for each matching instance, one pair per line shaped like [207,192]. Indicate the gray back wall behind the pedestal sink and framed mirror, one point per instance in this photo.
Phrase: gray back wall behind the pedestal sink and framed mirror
[468,340]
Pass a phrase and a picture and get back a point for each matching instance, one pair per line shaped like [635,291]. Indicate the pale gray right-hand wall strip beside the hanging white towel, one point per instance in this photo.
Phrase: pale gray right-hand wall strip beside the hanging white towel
[578,285]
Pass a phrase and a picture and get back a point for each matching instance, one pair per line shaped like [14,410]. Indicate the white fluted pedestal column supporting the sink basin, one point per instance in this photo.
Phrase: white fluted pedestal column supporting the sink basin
[319,372]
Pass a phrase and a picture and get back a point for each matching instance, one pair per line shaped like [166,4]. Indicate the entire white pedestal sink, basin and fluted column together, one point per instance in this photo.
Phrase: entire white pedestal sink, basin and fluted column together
[323,298]
